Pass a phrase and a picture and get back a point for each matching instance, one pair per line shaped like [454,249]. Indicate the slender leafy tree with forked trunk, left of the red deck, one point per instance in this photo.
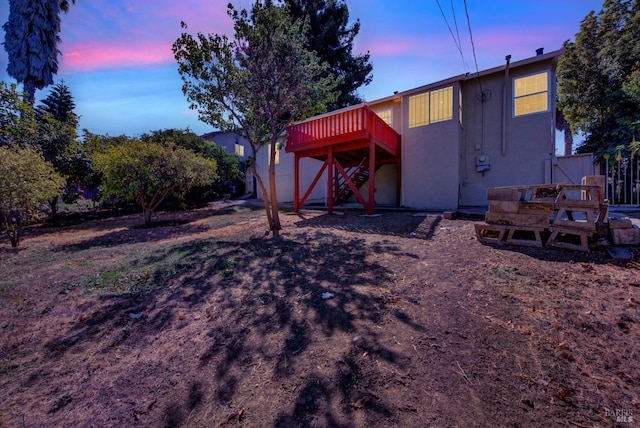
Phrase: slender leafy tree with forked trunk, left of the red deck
[257,84]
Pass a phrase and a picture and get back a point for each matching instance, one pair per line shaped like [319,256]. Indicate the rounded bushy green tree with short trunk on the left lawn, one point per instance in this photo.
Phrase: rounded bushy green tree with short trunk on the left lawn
[148,173]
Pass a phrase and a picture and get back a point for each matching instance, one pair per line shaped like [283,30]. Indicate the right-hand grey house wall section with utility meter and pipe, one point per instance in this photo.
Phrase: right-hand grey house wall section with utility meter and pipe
[520,152]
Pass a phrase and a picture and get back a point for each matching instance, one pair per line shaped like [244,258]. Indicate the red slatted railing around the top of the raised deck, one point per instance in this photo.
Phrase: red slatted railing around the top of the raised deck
[345,126]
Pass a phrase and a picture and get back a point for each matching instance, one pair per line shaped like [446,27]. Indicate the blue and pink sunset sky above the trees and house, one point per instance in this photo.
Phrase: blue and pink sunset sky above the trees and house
[117,60]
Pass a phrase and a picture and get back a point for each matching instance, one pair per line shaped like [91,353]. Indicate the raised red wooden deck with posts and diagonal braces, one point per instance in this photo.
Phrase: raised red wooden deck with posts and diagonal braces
[342,140]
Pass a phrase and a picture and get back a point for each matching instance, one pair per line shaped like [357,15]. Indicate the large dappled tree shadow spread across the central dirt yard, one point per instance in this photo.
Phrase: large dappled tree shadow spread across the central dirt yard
[264,303]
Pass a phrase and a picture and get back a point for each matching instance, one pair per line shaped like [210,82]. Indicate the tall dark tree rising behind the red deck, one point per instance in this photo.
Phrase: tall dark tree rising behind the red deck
[331,37]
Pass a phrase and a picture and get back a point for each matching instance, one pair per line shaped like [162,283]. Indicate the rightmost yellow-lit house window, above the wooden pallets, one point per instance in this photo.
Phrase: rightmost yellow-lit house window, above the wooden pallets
[531,94]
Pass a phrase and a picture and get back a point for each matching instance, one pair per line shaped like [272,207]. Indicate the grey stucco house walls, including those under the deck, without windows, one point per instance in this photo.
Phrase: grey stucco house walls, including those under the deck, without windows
[439,160]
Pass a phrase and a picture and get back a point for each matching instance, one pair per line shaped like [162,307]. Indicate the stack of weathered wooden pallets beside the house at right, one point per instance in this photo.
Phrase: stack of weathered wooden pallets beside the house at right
[553,215]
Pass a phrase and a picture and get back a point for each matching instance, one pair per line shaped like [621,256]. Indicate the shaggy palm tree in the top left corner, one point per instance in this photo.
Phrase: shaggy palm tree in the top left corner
[31,41]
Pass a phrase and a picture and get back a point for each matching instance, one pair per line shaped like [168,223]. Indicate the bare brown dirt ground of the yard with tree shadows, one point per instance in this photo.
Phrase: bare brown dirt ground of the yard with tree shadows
[204,321]
